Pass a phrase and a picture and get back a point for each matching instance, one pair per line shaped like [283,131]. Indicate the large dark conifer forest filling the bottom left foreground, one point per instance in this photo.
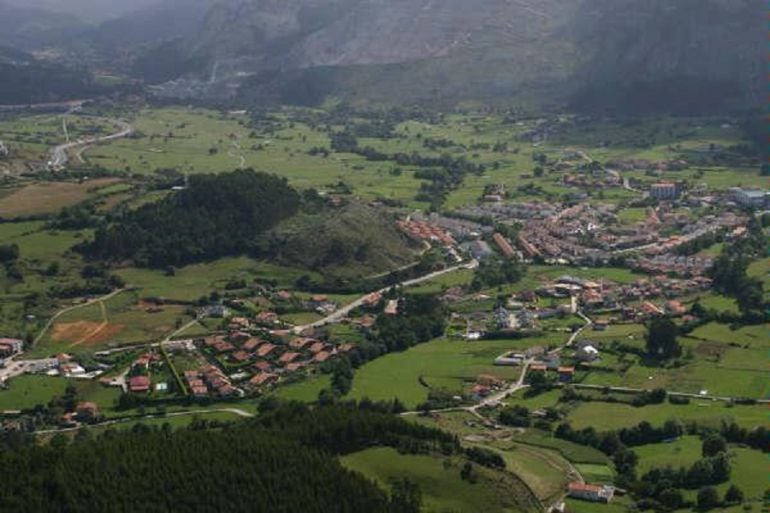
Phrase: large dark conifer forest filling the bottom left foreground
[284,461]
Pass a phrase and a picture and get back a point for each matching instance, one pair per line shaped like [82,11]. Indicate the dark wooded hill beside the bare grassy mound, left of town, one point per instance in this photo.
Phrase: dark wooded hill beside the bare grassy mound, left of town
[216,216]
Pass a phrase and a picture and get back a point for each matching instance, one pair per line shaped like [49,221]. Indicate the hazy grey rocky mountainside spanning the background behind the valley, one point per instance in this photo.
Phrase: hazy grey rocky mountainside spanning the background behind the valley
[687,55]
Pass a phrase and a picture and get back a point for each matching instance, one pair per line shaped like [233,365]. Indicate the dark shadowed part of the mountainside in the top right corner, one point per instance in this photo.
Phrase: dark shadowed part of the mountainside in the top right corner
[687,55]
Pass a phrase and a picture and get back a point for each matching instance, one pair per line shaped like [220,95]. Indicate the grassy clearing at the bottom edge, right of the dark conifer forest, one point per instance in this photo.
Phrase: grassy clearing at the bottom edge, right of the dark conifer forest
[438,478]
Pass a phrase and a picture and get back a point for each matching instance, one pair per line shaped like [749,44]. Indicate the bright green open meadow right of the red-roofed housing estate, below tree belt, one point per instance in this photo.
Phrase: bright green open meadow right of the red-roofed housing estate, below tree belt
[440,363]
